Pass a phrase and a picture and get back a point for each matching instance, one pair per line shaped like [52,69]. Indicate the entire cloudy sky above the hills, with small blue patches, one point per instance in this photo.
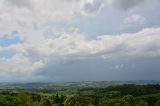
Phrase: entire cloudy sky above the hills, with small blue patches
[79,40]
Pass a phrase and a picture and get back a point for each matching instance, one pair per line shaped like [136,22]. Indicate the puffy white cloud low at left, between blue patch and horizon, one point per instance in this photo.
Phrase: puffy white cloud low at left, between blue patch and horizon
[18,68]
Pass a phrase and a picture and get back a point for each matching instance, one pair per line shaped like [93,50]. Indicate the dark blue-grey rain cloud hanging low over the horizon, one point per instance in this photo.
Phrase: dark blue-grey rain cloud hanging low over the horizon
[100,70]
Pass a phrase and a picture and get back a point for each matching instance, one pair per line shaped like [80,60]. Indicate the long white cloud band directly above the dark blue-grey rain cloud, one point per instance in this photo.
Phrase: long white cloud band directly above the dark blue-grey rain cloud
[78,45]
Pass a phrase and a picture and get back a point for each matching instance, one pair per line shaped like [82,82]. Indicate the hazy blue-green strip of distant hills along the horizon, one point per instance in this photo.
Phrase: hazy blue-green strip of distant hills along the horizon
[66,85]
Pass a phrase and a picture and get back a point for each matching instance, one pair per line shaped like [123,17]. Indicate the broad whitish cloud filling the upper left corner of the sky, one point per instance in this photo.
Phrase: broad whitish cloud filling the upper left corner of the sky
[20,15]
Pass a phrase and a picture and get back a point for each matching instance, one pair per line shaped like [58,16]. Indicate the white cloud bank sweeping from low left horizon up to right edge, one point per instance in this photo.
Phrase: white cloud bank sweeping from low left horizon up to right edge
[31,56]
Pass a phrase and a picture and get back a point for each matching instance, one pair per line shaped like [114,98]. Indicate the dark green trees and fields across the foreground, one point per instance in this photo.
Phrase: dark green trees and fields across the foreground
[116,95]
